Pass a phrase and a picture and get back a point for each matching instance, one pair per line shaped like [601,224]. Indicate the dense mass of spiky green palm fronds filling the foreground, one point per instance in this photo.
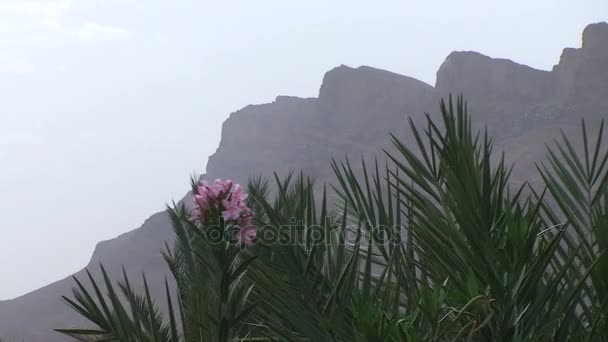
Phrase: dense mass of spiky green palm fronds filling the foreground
[433,246]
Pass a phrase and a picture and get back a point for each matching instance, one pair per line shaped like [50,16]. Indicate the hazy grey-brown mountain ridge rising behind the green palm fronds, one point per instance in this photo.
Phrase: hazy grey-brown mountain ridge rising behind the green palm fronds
[522,107]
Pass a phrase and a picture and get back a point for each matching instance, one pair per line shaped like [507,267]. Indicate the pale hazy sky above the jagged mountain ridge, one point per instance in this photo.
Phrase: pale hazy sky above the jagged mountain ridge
[107,106]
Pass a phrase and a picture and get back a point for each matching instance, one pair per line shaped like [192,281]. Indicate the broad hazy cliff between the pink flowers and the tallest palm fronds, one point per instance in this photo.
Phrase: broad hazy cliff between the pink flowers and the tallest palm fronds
[349,116]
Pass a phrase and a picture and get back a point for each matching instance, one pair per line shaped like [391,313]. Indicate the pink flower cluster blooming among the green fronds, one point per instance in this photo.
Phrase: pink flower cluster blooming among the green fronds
[229,199]
